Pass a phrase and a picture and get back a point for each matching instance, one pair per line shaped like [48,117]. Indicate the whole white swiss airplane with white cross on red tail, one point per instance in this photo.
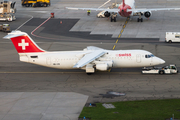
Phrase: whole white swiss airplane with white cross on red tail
[90,59]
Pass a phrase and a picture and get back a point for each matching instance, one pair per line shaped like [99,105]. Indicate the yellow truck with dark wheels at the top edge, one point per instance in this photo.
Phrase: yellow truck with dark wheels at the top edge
[35,3]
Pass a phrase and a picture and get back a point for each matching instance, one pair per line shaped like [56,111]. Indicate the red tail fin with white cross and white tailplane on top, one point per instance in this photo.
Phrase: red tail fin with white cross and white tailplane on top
[23,43]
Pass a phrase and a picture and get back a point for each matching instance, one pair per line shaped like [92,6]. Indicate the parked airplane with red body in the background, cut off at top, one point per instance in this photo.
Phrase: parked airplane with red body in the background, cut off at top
[126,9]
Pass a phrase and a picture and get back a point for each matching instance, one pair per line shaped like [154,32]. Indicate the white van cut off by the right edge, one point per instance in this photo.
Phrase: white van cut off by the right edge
[172,37]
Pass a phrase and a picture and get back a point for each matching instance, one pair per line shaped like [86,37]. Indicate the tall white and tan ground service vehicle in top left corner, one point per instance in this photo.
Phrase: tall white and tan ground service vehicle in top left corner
[7,11]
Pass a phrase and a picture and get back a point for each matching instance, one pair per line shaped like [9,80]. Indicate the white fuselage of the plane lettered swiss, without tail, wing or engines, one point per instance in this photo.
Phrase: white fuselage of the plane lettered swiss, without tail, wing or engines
[67,59]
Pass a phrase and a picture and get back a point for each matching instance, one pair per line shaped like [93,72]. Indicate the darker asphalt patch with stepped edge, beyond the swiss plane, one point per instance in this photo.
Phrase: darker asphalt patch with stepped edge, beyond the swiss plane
[54,30]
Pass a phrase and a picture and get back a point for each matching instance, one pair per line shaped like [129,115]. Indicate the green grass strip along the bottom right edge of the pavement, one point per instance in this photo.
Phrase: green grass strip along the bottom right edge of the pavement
[135,110]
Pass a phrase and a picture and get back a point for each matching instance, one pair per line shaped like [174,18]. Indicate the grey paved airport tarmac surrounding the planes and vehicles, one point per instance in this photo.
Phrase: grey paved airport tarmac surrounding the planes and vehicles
[34,92]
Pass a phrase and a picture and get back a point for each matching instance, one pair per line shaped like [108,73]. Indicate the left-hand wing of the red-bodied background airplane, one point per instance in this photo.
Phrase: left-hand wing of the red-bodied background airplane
[95,9]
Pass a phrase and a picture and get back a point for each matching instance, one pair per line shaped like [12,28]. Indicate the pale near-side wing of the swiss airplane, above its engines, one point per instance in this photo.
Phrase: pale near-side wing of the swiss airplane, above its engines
[89,58]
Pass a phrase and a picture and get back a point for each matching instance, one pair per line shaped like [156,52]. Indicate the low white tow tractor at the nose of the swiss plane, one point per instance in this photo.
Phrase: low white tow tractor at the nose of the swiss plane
[171,69]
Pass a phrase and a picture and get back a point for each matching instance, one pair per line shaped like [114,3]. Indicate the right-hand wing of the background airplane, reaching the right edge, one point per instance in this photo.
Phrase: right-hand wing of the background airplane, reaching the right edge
[154,9]
